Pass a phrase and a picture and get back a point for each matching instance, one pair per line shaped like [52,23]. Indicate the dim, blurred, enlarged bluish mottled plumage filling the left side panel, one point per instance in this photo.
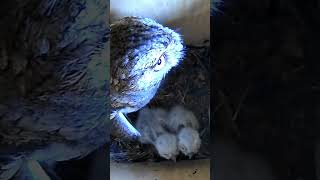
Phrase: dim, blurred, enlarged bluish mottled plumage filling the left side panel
[53,81]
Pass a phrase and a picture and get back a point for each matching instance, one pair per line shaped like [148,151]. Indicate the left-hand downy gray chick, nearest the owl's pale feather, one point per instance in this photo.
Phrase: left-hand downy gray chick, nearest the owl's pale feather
[150,125]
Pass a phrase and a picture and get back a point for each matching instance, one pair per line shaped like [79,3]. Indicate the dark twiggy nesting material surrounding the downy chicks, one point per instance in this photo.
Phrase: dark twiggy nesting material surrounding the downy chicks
[187,85]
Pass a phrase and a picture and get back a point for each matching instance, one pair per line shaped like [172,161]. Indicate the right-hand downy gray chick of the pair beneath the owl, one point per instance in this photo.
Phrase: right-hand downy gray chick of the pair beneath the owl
[186,125]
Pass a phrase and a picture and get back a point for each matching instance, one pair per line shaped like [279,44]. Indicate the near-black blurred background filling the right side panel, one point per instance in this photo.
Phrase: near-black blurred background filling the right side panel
[265,67]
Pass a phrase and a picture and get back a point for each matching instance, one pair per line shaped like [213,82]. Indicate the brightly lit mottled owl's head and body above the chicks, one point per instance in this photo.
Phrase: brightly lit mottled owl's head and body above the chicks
[142,52]
